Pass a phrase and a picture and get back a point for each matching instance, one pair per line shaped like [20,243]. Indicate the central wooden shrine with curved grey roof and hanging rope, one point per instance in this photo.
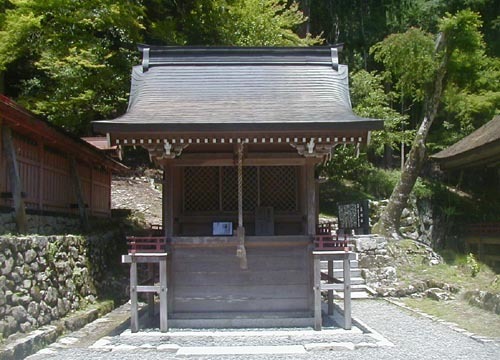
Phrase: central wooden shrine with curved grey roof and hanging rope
[238,132]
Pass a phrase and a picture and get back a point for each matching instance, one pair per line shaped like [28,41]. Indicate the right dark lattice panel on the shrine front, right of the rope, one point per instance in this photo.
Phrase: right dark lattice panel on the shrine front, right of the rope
[278,187]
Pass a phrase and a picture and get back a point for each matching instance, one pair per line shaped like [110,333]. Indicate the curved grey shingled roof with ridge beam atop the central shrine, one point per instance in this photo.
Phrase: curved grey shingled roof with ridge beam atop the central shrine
[238,89]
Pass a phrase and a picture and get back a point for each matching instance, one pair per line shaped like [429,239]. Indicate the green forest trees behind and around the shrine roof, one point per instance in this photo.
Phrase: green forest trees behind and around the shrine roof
[69,61]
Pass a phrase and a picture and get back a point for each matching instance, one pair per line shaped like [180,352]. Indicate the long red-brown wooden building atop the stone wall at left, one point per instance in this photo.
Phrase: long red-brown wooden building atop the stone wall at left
[45,157]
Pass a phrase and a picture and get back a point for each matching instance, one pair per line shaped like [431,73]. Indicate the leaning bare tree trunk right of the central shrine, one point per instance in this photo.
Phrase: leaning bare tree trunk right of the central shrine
[390,219]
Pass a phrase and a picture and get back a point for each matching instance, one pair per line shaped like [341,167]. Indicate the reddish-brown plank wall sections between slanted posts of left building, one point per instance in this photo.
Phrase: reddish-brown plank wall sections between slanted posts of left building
[47,181]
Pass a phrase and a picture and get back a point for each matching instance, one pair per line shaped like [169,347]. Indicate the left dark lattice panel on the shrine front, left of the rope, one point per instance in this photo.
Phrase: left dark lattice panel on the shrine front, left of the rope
[201,188]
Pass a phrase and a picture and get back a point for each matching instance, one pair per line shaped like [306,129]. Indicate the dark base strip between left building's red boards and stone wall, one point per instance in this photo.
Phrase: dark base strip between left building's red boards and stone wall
[40,224]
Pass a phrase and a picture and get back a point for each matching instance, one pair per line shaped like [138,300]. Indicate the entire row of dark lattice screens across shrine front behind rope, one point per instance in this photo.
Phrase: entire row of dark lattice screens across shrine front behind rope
[216,188]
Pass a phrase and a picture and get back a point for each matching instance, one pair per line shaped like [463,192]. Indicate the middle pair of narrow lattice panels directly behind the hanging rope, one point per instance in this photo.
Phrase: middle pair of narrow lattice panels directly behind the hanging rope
[230,188]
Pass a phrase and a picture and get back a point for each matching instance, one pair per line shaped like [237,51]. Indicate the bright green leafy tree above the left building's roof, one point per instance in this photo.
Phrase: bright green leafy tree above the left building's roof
[72,57]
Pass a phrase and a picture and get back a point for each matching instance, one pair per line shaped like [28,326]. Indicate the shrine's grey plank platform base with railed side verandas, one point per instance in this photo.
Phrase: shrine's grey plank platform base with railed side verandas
[204,264]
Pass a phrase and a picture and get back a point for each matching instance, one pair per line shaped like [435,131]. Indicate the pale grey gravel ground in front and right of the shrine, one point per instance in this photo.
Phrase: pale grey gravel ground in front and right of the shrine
[413,336]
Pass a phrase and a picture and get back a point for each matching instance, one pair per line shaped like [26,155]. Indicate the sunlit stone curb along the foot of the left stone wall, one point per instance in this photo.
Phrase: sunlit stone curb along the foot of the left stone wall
[21,345]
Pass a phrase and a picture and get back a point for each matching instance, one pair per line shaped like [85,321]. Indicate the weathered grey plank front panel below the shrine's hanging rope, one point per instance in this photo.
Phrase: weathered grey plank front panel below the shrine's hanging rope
[210,280]
